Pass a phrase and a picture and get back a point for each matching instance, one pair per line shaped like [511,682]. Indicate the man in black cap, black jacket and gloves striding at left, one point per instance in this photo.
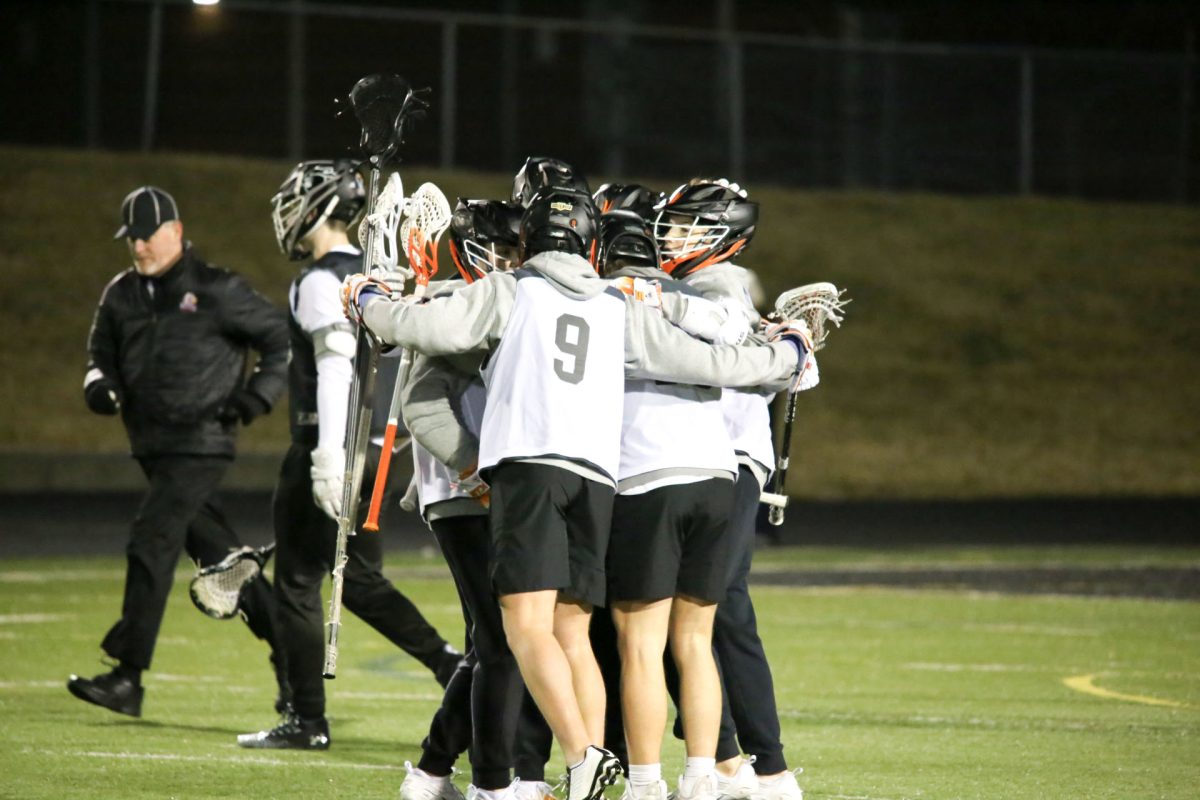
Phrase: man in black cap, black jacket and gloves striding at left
[169,351]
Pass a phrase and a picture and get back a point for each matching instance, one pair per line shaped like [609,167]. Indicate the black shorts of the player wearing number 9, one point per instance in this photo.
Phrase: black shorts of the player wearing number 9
[550,531]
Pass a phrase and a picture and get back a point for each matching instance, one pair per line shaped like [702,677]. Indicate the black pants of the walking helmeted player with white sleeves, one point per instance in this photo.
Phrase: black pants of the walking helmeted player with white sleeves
[304,556]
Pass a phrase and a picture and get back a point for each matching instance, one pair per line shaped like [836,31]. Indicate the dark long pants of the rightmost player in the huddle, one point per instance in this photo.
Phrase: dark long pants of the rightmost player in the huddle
[746,673]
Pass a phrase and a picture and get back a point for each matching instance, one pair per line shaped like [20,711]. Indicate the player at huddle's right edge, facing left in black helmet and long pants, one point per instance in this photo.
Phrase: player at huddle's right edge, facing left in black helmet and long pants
[700,227]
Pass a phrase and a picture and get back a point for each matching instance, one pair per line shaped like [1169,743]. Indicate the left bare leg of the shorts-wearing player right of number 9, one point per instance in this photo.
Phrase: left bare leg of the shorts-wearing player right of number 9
[643,639]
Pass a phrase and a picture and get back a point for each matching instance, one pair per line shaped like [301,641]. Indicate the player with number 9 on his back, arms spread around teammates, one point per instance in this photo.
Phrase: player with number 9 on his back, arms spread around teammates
[561,344]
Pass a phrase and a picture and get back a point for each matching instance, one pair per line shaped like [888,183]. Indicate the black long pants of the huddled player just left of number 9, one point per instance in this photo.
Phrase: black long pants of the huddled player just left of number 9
[483,701]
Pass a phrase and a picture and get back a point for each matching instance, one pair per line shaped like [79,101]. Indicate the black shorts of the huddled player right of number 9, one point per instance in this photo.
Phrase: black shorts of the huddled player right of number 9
[671,542]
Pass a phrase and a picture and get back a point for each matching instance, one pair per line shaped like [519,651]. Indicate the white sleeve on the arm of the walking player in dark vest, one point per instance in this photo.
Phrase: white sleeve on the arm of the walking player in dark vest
[320,306]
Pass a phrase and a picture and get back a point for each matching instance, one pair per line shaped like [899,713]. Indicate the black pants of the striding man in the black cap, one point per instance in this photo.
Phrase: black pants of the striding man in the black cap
[179,513]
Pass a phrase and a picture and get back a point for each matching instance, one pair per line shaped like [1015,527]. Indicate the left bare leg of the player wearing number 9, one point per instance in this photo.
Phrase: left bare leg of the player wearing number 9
[530,624]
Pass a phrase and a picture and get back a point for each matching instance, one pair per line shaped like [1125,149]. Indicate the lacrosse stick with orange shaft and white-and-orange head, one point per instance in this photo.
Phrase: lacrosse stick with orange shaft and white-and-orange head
[428,219]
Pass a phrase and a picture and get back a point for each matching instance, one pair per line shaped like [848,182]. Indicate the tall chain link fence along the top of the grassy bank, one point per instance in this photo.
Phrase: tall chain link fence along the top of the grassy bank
[260,79]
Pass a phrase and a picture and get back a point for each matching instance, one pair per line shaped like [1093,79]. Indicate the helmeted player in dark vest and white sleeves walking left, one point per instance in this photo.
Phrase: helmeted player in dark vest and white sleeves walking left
[313,210]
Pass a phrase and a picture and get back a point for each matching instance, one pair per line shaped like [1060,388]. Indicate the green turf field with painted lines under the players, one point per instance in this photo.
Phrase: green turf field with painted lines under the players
[884,694]
